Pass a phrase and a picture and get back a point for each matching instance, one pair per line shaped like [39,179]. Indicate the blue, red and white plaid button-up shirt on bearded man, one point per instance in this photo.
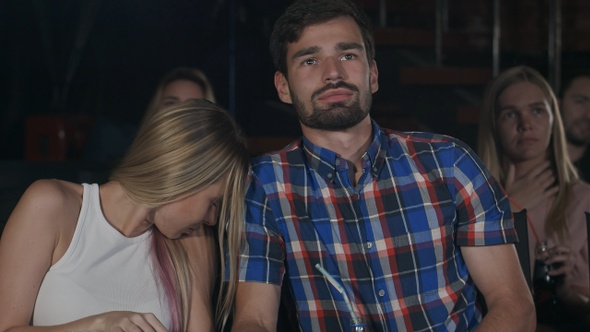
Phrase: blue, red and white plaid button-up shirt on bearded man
[392,242]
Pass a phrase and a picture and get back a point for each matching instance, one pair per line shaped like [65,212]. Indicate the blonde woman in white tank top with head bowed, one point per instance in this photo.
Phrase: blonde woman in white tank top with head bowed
[135,253]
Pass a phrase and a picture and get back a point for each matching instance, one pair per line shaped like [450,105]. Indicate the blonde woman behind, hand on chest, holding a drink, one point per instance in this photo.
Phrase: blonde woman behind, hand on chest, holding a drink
[522,141]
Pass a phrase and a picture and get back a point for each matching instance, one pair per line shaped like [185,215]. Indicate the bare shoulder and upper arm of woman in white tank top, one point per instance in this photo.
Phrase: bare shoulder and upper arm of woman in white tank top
[27,249]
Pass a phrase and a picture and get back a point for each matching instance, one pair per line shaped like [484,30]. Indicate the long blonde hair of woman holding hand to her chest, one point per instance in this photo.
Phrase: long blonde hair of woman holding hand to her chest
[491,152]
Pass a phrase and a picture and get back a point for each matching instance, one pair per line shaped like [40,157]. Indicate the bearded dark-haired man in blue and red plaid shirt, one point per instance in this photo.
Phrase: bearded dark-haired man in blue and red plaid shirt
[362,224]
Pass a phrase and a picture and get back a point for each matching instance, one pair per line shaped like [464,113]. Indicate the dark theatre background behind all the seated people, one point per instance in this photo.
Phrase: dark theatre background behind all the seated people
[83,60]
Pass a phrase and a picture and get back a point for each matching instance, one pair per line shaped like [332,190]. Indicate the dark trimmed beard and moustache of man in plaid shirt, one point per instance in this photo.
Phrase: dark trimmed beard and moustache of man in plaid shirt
[336,116]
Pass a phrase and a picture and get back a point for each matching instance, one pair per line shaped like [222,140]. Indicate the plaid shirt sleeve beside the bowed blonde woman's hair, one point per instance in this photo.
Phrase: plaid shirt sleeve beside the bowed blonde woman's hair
[262,258]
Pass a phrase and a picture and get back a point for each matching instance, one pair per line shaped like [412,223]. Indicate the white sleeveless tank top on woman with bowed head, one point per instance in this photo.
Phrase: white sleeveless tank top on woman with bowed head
[101,271]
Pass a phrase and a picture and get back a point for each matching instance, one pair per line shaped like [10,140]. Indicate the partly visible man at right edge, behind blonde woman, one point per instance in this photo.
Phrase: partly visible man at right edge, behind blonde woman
[575,109]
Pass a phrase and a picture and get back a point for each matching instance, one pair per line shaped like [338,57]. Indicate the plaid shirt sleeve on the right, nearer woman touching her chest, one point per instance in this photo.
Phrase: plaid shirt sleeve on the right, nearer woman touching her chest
[483,209]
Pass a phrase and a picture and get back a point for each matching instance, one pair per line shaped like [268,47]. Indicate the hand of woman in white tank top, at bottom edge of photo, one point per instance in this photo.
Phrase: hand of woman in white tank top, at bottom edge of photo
[127,321]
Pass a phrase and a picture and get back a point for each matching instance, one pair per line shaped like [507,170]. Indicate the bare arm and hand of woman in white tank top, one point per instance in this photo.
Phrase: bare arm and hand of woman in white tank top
[37,234]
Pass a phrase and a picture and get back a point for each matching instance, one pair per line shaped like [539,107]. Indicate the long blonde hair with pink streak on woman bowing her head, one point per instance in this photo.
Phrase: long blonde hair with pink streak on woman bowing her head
[178,151]
